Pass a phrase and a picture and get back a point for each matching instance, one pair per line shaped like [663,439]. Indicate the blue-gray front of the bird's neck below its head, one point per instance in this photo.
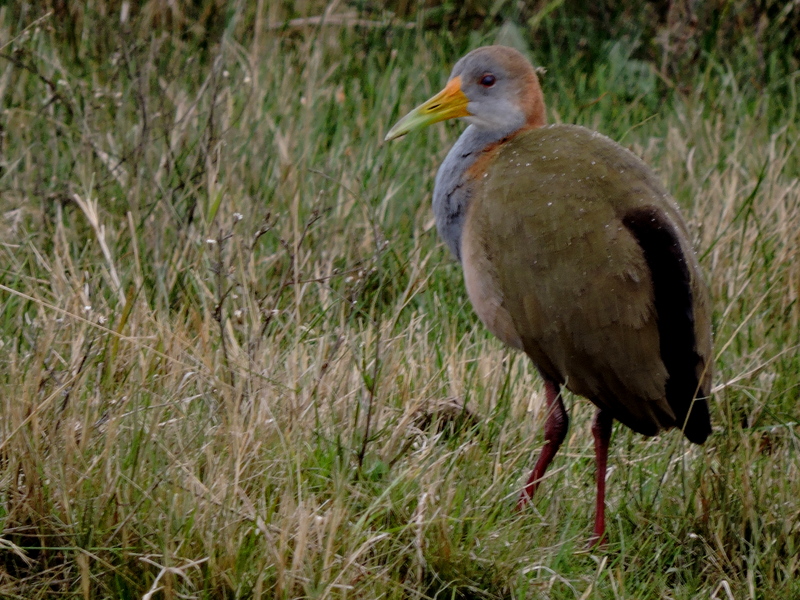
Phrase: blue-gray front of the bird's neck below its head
[452,192]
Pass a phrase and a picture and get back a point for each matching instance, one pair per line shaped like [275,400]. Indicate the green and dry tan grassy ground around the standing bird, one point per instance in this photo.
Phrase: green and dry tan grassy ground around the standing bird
[234,352]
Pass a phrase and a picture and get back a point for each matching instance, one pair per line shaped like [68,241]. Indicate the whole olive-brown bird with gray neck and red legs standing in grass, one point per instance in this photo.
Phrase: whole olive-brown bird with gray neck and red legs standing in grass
[573,252]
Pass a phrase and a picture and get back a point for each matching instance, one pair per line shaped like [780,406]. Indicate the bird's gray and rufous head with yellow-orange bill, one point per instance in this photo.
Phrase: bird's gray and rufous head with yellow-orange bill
[493,88]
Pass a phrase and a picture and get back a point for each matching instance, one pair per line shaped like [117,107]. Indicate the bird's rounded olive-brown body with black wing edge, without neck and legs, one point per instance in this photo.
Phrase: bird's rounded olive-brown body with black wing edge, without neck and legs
[574,252]
